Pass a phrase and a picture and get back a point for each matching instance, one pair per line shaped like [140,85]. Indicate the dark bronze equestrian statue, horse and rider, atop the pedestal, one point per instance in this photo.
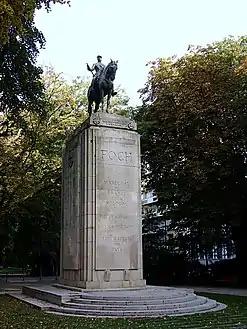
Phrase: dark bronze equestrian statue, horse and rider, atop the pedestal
[102,84]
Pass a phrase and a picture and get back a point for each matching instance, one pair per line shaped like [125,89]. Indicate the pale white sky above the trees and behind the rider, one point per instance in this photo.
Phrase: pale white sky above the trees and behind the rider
[134,32]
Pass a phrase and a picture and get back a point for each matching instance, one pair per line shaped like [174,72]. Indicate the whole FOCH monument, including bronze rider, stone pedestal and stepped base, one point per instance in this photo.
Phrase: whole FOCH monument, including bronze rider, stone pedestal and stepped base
[101,235]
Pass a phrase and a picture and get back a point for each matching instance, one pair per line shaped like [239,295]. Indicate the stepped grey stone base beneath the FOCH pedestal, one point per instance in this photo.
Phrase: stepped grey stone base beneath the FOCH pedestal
[145,302]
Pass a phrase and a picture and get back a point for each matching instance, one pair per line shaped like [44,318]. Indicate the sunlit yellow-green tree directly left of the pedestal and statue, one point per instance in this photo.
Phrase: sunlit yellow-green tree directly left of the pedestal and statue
[31,159]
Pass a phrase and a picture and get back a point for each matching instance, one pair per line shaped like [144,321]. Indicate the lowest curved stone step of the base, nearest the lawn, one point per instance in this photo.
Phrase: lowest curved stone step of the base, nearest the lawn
[209,305]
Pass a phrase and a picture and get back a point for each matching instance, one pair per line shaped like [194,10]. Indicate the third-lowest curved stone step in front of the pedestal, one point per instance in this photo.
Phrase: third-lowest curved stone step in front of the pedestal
[158,300]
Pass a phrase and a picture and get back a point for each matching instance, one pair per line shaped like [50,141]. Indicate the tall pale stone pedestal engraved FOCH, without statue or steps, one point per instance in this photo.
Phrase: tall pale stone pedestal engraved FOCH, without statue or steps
[101,240]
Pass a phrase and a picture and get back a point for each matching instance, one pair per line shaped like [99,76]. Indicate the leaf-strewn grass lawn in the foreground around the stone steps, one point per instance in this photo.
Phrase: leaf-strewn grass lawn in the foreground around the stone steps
[16,315]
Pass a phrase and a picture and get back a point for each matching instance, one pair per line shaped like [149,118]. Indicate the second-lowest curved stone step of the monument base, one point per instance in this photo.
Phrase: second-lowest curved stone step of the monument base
[134,307]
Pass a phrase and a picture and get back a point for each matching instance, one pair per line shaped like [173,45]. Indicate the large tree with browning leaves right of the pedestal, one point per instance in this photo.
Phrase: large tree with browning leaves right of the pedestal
[193,125]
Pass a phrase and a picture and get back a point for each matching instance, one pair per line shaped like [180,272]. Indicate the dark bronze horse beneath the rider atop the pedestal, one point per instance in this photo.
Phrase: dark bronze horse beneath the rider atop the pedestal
[101,87]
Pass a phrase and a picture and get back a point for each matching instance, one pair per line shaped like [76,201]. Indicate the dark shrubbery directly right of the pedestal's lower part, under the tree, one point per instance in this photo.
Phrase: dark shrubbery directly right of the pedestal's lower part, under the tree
[162,263]
